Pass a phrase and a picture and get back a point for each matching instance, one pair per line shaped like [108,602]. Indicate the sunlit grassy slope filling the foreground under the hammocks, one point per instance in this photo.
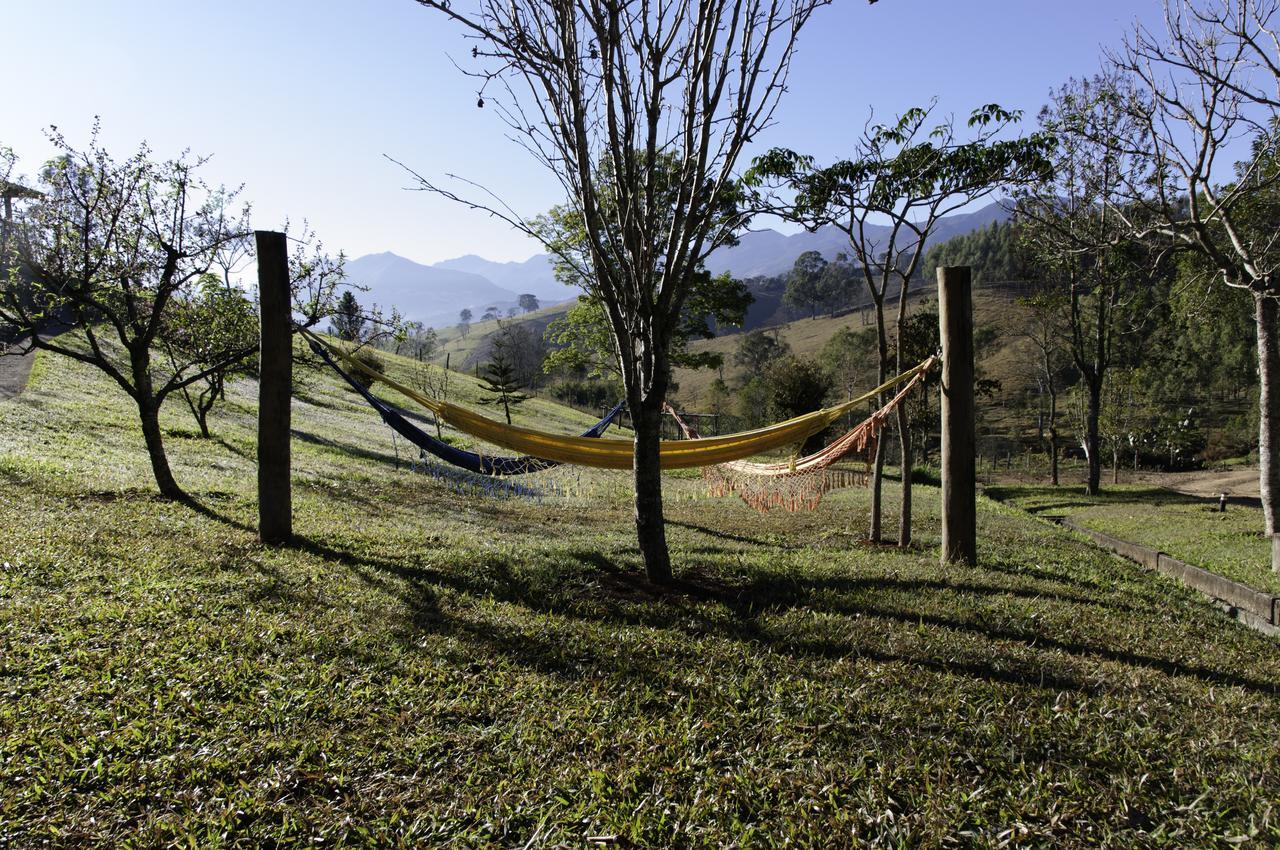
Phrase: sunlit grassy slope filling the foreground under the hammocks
[428,670]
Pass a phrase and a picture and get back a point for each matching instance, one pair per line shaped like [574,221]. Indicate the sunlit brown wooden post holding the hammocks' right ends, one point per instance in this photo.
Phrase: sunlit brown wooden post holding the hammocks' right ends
[959,432]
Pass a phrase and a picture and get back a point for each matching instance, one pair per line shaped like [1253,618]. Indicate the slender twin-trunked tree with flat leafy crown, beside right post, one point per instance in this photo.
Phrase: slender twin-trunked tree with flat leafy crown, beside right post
[908,175]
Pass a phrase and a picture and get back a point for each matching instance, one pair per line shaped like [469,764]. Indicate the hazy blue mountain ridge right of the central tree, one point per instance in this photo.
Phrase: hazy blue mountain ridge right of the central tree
[769,253]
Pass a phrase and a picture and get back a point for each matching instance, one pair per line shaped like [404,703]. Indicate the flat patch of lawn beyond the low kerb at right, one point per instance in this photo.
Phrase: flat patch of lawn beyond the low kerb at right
[1188,528]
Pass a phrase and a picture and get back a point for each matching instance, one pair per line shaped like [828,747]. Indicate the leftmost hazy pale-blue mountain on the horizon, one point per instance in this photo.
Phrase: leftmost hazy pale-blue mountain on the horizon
[426,294]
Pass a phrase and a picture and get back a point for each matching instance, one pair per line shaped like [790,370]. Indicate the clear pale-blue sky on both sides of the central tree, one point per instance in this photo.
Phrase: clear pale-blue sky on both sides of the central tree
[300,99]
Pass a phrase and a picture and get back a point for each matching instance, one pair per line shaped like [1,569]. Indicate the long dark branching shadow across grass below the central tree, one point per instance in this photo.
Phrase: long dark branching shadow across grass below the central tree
[606,591]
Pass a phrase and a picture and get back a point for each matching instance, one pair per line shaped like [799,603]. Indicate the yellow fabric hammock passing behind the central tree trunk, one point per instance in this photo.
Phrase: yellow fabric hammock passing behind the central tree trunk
[619,454]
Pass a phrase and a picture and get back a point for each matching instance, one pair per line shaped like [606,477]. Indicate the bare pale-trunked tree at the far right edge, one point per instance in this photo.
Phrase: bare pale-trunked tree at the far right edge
[1212,80]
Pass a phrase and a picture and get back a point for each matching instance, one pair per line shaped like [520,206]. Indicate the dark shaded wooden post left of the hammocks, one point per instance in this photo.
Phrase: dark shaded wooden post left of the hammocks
[276,390]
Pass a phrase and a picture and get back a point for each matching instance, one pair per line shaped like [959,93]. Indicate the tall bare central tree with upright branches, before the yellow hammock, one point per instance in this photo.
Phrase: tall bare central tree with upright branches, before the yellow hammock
[612,89]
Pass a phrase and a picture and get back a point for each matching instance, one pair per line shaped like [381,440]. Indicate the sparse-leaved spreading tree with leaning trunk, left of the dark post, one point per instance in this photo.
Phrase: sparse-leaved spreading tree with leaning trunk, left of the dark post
[113,245]
